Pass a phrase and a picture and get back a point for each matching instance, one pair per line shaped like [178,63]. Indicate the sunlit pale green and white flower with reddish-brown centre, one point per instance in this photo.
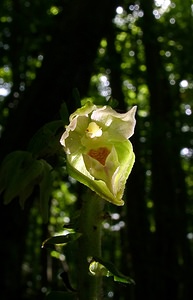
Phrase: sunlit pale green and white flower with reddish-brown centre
[98,151]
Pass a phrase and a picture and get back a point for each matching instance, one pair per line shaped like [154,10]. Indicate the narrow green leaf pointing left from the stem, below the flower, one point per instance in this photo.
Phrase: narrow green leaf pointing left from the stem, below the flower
[61,239]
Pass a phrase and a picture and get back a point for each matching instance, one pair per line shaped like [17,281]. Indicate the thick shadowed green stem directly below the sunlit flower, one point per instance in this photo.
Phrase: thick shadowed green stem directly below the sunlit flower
[90,245]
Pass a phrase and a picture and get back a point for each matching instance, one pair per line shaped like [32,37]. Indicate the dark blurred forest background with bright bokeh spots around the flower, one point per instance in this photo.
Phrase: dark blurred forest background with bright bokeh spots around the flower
[54,53]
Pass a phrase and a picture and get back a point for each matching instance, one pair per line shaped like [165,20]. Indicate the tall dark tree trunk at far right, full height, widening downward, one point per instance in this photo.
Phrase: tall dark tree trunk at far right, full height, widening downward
[170,276]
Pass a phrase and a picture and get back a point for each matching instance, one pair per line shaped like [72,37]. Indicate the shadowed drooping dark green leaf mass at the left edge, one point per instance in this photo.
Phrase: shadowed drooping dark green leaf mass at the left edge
[20,172]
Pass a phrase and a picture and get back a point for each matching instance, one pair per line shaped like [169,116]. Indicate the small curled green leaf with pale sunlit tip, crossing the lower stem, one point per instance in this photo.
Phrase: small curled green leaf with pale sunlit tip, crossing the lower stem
[104,268]
